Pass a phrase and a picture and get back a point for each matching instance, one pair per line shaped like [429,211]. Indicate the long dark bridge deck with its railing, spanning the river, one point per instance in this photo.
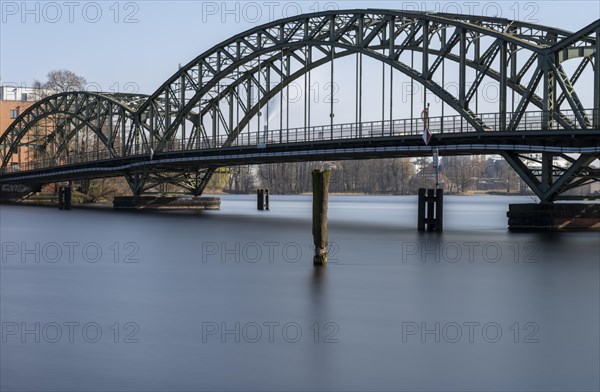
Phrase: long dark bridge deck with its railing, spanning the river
[452,135]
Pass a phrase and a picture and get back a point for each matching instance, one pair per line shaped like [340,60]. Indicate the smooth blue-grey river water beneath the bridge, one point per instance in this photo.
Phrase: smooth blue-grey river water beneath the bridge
[229,300]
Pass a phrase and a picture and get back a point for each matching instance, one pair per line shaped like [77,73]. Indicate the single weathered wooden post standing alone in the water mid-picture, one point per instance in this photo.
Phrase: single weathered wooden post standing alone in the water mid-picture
[321,181]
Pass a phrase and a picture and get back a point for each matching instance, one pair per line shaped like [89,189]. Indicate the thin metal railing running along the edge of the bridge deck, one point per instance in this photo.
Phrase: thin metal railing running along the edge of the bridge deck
[530,121]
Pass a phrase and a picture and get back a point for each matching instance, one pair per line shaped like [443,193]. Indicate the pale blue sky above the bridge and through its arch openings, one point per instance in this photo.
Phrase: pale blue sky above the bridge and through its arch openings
[134,46]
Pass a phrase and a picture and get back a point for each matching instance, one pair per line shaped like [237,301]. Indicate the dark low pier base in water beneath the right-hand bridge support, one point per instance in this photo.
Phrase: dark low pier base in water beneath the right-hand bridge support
[553,217]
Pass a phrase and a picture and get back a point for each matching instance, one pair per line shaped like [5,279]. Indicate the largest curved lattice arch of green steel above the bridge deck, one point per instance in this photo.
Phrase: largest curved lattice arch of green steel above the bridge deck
[197,85]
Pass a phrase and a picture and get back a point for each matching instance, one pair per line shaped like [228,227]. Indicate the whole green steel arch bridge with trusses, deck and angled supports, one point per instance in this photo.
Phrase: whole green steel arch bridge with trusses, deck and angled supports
[209,114]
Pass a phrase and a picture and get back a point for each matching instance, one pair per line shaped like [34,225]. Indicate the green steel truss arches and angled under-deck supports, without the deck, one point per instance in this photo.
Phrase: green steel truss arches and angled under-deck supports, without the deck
[213,101]
